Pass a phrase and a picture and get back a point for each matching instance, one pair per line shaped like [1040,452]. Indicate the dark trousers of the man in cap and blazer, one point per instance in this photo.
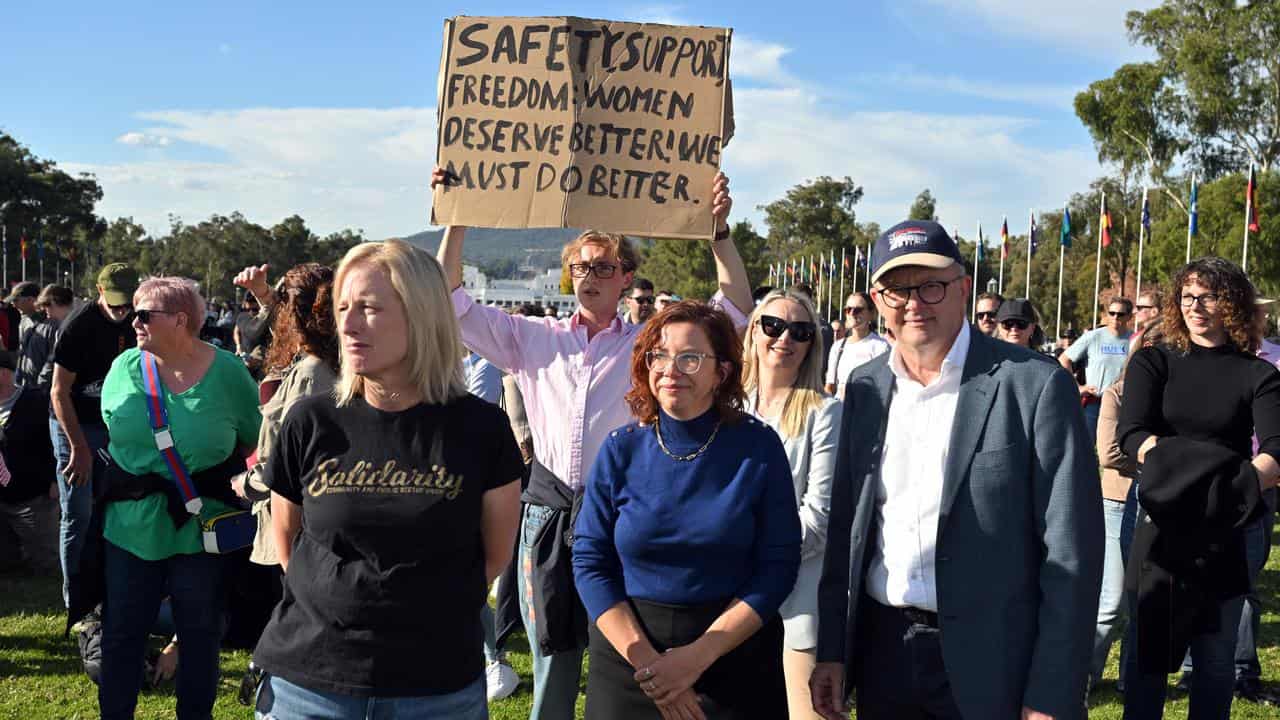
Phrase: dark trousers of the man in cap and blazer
[902,676]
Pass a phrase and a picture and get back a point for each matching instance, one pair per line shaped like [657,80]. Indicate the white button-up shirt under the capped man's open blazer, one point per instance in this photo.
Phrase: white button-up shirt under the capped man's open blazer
[909,493]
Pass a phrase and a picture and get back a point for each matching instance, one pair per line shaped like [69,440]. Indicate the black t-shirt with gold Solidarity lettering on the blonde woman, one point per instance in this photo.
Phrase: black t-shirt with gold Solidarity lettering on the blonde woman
[386,581]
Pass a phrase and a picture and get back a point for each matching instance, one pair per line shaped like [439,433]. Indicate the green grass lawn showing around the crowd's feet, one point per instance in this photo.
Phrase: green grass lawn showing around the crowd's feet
[42,677]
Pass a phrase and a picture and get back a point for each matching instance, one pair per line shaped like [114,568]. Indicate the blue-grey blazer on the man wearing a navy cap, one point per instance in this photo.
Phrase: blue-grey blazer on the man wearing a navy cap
[1021,535]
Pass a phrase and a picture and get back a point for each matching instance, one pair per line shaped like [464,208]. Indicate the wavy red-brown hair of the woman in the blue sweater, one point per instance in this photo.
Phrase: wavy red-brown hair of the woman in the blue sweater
[730,398]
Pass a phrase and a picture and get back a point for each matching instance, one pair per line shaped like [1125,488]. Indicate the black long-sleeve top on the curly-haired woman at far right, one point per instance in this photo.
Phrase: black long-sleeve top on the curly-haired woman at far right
[1215,395]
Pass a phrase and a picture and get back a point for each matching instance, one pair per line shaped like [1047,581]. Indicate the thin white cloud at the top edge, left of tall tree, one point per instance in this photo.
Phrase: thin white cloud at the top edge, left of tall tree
[1092,28]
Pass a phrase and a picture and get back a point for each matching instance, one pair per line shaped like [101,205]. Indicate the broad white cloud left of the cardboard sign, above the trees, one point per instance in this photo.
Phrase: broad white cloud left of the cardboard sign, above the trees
[335,167]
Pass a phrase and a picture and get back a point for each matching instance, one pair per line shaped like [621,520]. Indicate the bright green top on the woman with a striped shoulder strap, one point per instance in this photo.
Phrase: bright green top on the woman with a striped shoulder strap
[208,422]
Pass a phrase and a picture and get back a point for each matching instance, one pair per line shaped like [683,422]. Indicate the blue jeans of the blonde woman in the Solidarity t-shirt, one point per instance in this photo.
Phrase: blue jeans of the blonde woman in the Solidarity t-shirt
[282,700]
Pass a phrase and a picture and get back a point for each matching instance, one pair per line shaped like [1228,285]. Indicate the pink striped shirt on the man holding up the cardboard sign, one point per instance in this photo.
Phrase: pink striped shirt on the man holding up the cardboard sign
[574,389]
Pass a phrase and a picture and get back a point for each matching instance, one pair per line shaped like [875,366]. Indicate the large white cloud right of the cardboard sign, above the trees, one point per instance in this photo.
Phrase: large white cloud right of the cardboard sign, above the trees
[975,165]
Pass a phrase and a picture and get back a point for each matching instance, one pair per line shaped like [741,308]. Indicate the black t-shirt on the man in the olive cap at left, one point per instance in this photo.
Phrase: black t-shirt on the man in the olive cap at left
[88,344]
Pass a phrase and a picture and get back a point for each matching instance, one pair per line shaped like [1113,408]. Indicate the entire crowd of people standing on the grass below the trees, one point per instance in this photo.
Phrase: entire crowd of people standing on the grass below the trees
[738,509]
